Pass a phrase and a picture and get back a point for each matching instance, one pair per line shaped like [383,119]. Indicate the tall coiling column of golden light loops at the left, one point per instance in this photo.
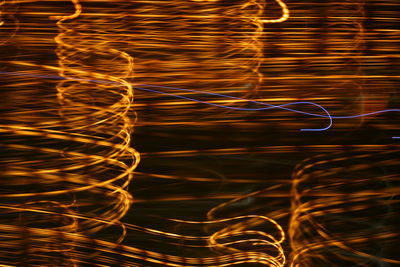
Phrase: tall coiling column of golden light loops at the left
[97,110]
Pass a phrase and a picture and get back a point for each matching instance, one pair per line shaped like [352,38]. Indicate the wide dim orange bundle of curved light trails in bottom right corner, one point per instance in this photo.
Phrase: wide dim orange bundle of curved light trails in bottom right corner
[342,205]
